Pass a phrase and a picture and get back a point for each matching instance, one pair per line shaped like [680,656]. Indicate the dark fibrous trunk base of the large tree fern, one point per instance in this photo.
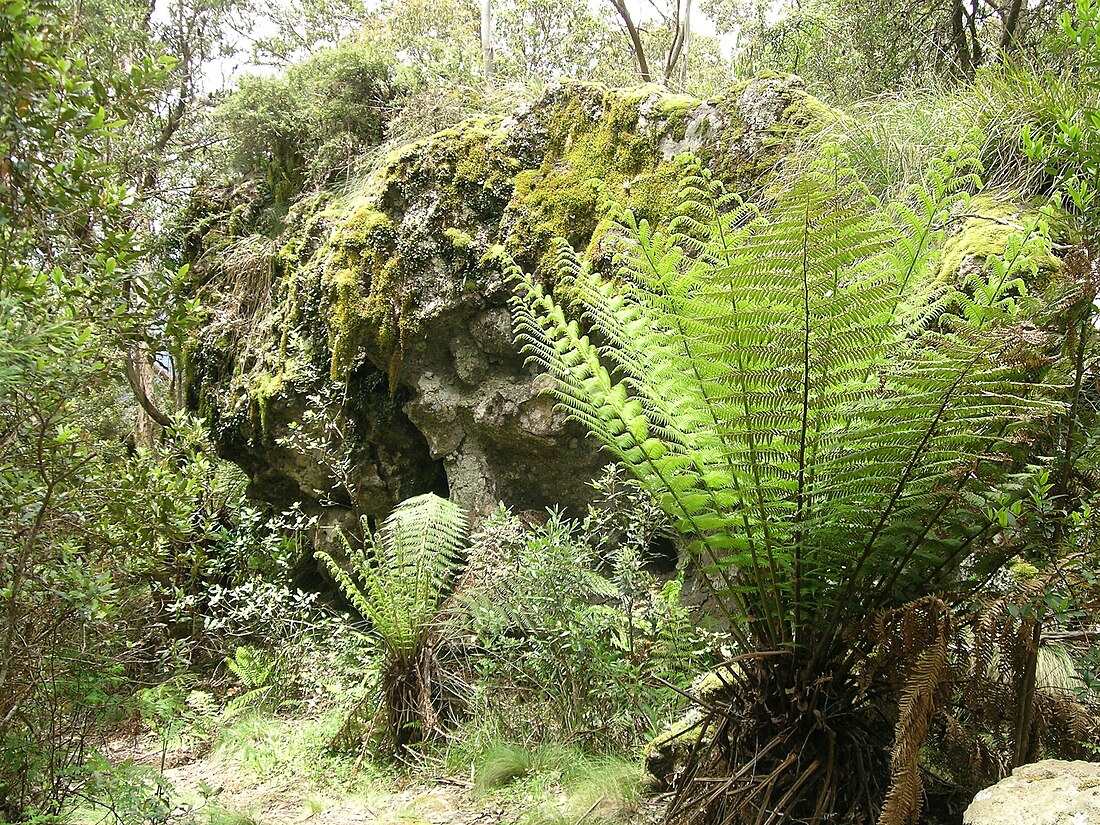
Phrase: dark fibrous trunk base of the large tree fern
[786,746]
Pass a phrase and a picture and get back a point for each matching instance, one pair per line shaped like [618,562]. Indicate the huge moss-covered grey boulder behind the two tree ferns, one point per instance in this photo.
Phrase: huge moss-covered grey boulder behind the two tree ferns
[358,348]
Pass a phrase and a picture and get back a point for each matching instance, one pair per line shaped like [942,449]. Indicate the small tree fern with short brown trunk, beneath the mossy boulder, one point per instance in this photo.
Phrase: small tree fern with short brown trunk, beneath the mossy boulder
[398,581]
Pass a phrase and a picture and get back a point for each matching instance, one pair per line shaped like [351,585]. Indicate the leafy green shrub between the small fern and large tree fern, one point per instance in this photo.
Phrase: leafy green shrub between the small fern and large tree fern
[565,653]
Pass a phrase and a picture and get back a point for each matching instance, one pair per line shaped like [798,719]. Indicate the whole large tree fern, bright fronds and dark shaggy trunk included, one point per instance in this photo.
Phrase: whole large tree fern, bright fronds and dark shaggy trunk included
[796,389]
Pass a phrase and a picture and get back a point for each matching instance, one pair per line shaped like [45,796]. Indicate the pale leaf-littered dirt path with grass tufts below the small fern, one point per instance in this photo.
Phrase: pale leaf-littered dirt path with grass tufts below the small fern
[261,778]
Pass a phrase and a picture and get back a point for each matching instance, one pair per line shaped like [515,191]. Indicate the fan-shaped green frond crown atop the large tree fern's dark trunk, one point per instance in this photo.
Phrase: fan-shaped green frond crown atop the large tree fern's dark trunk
[775,378]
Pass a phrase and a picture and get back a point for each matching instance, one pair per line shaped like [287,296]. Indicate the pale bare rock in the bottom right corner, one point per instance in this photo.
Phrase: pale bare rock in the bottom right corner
[1052,793]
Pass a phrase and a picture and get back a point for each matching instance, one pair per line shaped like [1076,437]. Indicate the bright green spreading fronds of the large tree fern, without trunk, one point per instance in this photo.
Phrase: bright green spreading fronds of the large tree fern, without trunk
[700,336]
